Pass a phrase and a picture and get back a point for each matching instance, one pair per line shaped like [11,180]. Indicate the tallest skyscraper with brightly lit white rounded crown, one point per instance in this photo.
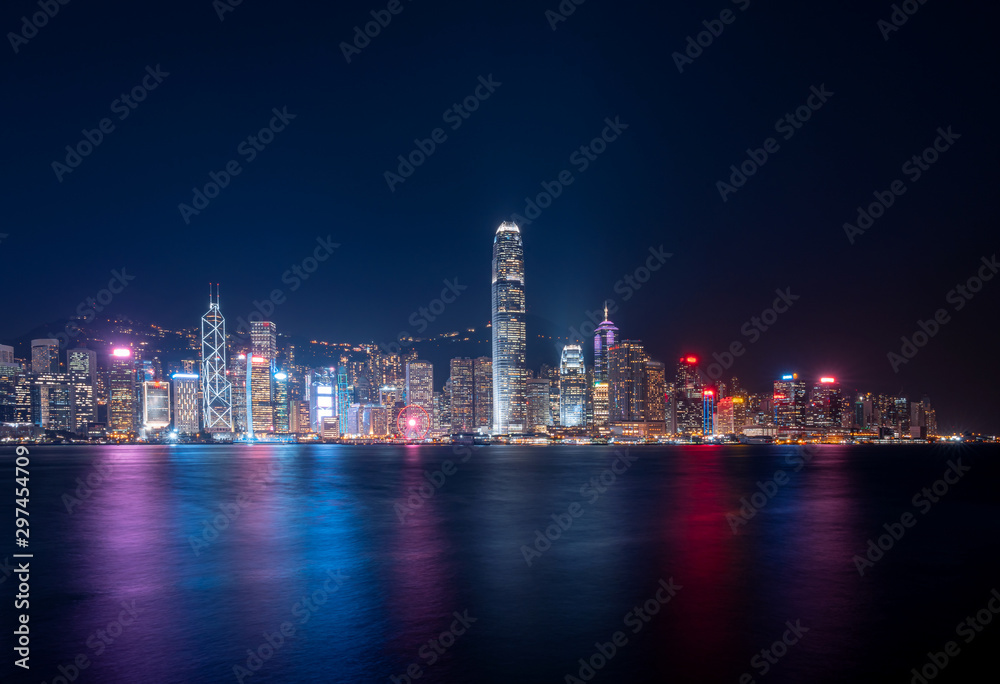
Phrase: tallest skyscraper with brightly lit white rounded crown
[508,329]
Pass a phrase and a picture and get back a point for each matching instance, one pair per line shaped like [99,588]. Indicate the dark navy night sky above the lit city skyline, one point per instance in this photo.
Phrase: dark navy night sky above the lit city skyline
[654,185]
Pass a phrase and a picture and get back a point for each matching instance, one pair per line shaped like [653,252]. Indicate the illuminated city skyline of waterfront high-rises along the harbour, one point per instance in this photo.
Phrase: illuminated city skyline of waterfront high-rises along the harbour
[253,387]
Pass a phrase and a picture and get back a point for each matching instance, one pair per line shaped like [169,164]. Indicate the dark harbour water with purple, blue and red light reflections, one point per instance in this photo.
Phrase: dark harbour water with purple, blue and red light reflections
[151,581]
